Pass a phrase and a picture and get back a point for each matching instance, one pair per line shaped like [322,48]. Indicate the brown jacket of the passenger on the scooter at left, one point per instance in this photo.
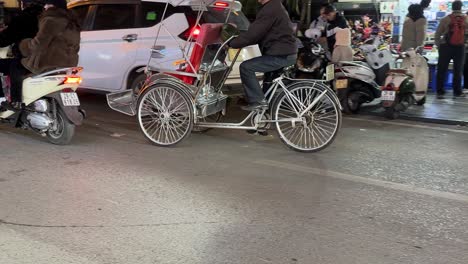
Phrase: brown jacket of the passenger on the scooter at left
[56,44]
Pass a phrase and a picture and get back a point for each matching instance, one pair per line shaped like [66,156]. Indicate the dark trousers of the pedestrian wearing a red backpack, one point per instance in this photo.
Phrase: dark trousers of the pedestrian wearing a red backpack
[447,53]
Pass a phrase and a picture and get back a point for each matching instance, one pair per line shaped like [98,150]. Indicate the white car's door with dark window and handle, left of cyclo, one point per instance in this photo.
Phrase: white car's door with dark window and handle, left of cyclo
[108,46]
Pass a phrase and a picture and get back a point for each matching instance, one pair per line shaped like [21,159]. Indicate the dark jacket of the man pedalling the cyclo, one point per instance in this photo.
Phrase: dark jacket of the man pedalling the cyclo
[272,31]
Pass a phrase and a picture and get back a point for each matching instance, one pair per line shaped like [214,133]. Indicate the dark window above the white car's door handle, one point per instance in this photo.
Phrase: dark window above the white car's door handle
[110,17]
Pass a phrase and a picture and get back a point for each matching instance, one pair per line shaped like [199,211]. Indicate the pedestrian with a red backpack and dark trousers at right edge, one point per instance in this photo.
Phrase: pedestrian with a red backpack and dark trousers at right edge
[450,38]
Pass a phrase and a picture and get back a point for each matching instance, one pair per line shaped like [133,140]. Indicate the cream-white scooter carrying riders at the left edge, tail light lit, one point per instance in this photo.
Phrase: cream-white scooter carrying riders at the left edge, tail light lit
[50,105]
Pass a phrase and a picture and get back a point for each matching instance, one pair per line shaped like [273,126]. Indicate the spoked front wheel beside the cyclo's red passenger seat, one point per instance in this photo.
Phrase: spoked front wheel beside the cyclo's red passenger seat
[165,115]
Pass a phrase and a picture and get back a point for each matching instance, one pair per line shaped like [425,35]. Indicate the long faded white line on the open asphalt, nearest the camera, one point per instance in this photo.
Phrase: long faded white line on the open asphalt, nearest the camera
[359,179]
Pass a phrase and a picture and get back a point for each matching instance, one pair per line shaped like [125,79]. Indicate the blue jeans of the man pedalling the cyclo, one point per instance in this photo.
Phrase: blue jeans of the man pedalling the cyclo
[262,64]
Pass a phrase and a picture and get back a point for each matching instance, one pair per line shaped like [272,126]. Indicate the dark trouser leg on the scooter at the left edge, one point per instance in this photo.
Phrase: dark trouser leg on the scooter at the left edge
[17,73]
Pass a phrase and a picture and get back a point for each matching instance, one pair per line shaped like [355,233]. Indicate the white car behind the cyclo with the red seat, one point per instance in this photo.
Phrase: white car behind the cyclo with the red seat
[117,37]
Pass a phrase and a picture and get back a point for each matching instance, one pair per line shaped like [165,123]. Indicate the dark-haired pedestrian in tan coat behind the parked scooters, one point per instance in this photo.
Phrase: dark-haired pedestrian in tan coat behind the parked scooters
[414,28]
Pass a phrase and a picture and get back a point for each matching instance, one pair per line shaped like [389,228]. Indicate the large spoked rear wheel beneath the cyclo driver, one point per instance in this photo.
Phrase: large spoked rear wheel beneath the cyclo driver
[317,128]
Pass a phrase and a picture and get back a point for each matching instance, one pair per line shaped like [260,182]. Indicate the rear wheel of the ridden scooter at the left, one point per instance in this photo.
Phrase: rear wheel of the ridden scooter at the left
[64,130]
